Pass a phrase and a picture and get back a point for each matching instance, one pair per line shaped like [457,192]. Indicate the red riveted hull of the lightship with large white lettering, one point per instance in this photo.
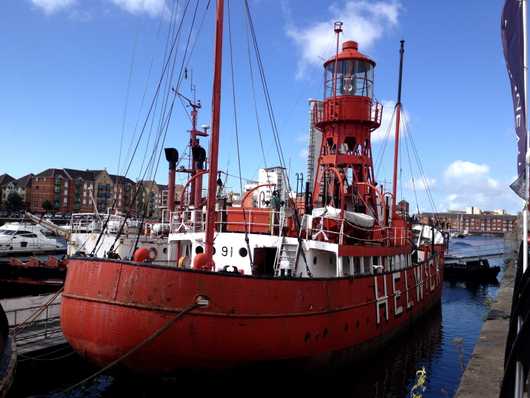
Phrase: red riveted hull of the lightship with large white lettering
[109,307]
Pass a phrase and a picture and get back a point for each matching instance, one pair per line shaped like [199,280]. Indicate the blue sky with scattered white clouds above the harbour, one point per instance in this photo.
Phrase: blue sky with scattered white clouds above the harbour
[66,64]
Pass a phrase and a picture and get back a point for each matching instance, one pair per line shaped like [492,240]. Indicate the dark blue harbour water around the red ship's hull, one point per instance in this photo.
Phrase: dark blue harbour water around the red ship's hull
[442,343]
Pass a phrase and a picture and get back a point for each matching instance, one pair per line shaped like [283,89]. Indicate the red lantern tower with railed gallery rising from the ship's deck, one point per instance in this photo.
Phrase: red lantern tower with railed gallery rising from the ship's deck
[346,117]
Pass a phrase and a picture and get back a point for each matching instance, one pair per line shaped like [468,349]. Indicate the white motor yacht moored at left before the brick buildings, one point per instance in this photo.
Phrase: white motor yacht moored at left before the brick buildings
[18,238]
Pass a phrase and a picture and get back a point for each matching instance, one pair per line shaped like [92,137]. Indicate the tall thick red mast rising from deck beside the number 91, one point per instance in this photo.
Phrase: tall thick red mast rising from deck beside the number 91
[211,216]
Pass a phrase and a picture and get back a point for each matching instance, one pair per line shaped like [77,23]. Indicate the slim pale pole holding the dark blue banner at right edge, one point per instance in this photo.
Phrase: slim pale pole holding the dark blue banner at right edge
[519,370]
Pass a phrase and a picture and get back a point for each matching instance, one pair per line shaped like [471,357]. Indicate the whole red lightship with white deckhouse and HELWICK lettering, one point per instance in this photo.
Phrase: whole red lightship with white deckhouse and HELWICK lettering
[341,275]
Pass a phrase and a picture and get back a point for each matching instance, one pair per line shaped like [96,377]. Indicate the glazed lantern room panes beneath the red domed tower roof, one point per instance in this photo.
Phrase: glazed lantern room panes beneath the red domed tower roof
[354,77]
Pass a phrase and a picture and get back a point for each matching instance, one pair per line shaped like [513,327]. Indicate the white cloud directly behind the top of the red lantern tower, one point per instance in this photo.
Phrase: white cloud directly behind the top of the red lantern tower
[364,21]
